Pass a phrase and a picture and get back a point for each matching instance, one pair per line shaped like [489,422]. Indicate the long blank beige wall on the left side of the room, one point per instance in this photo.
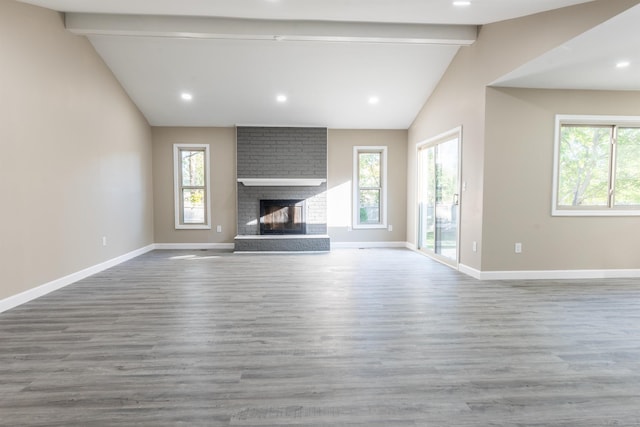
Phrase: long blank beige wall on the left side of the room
[75,162]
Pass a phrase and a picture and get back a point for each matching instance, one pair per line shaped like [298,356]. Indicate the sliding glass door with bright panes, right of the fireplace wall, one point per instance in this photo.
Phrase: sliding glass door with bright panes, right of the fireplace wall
[439,197]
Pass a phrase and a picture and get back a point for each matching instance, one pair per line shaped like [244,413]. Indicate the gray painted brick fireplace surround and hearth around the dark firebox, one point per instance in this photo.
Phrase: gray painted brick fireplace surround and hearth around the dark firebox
[283,155]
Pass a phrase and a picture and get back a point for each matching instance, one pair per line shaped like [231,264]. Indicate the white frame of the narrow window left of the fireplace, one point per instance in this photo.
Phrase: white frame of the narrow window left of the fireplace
[177,187]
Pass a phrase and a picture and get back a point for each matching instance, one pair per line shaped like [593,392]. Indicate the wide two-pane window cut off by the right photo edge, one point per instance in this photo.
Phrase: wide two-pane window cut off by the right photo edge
[597,166]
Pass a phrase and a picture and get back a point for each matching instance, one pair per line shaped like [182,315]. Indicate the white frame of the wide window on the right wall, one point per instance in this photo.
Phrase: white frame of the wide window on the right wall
[566,119]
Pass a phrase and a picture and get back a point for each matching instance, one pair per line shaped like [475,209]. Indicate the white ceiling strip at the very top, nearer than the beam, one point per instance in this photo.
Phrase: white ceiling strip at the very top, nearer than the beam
[417,11]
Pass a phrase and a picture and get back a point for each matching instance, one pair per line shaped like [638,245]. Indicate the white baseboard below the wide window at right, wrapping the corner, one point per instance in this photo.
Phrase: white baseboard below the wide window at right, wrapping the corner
[550,274]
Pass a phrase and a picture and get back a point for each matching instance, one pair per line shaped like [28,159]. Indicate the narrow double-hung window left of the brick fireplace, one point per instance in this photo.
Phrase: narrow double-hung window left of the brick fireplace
[191,186]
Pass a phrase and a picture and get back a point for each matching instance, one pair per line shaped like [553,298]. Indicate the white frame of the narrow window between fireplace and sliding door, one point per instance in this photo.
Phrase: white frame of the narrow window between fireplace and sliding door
[356,187]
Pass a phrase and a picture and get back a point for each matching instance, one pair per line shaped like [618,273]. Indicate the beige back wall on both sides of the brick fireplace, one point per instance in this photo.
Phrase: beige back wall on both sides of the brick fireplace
[224,190]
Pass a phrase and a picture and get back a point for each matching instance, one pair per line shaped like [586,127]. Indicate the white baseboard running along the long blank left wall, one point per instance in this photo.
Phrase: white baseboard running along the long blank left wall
[33,293]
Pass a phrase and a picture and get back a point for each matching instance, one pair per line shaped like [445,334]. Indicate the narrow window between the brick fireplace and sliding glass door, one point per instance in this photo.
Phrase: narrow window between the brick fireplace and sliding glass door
[370,187]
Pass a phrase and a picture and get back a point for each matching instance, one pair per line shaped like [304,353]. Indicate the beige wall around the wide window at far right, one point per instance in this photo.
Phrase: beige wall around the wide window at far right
[520,146]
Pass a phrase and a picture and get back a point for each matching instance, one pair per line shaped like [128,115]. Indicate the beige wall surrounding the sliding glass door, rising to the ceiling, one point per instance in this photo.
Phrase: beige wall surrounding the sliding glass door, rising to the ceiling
[460,100]
